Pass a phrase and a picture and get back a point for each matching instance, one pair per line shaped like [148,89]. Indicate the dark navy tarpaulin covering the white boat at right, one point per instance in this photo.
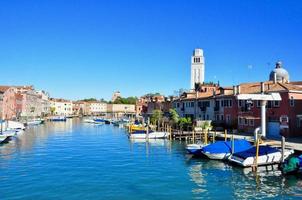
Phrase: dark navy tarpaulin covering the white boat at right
[263,150]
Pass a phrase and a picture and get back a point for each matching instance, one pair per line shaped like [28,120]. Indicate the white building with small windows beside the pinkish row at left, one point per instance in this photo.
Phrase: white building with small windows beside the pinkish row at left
[61,107]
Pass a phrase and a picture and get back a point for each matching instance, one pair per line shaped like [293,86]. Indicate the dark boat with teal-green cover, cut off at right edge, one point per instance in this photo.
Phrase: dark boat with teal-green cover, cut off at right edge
[292,165]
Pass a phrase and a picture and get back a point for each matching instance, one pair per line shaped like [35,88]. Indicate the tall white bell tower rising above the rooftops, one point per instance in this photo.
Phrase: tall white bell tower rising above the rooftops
[197,68]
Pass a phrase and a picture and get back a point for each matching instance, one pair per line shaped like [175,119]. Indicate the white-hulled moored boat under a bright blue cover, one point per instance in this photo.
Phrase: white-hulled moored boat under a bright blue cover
[221,150]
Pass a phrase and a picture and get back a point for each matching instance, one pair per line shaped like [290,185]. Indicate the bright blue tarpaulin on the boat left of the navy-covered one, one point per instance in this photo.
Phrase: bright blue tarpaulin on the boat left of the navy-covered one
[226,147]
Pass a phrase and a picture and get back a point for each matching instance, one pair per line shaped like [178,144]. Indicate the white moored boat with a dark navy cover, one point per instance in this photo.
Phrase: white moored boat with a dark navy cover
[267,156]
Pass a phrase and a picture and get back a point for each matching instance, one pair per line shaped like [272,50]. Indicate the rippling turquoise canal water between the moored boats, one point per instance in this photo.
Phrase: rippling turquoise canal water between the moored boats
[73,160]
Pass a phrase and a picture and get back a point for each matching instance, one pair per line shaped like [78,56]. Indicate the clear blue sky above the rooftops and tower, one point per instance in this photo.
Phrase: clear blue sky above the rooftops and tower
[76,49]
